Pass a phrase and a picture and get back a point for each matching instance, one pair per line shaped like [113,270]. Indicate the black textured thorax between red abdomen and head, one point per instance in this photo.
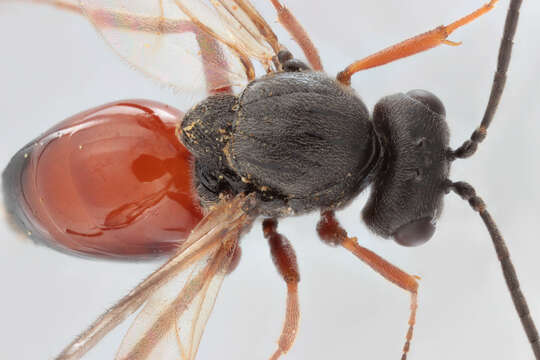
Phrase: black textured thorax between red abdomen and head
[299,139]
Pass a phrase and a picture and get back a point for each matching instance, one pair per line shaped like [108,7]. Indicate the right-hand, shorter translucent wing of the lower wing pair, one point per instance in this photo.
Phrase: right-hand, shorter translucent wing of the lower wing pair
[171,323]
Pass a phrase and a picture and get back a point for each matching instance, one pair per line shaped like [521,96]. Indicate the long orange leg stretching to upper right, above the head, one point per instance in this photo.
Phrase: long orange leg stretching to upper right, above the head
[412,46]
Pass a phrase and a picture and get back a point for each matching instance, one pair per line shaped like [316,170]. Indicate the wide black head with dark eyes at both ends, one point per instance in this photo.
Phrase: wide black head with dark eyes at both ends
[407,192]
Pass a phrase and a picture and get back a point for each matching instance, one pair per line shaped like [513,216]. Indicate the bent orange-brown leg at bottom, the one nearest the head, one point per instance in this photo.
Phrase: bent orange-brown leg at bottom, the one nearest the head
[331,232]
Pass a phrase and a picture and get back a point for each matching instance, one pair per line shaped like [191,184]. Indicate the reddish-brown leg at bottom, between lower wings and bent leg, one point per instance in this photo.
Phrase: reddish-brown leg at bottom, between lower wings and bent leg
[285,260]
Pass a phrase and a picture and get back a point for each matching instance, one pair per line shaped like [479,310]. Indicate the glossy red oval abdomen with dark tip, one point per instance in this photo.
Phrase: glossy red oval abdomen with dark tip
[113,181]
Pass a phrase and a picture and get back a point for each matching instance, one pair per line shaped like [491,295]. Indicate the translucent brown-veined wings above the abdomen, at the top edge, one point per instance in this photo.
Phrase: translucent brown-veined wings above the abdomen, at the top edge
[186,43]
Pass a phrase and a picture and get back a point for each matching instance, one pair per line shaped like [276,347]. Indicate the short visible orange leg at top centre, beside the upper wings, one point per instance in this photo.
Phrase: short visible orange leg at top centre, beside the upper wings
[291,24]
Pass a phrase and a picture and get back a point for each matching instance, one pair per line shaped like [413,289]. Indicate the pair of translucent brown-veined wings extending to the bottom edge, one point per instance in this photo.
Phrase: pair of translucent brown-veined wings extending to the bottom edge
[179,296]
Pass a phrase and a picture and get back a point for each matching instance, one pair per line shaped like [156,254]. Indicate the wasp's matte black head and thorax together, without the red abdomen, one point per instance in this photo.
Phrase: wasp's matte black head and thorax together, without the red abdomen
[320,150]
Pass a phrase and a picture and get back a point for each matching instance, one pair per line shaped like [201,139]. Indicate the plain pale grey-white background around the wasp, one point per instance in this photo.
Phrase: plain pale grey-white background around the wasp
[54,65]
